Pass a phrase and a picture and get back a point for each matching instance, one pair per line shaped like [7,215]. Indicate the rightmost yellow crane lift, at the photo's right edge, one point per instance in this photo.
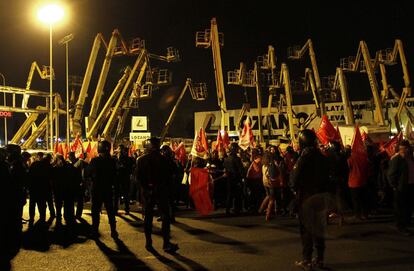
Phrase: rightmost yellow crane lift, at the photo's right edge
[389,57]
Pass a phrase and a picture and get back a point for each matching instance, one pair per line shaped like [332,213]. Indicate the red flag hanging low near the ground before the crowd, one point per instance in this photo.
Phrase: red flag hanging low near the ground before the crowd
[199,190]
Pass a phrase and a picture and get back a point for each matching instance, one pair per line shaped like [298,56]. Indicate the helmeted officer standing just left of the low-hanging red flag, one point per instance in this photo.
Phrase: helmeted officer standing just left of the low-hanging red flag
[153,173]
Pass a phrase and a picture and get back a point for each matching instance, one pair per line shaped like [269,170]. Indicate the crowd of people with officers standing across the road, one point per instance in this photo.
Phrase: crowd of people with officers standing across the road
[268,182]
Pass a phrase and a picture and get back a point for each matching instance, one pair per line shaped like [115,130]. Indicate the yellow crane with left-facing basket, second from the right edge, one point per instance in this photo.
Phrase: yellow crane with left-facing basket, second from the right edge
[366,64]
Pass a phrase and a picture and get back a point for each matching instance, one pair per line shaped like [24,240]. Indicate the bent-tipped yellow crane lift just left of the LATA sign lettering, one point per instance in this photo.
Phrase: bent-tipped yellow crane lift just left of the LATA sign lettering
[295,53]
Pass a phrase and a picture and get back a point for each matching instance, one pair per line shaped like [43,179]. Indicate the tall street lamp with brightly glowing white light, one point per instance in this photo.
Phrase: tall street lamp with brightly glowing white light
[50,14]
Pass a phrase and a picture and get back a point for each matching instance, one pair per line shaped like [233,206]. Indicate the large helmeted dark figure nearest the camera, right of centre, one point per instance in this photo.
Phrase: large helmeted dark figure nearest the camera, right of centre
[309,179]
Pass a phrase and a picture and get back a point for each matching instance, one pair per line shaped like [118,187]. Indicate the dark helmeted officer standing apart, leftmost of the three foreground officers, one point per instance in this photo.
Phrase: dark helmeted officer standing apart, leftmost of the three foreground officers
[102,171]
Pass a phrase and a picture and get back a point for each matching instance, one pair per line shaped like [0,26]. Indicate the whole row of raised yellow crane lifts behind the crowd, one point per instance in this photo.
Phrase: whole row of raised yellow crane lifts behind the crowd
[138,81]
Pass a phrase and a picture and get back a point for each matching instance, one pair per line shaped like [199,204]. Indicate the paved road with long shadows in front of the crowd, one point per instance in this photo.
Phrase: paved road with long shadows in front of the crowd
[215,243]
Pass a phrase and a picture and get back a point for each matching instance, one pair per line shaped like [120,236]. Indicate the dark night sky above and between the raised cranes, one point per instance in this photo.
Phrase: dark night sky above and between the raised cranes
[334,26]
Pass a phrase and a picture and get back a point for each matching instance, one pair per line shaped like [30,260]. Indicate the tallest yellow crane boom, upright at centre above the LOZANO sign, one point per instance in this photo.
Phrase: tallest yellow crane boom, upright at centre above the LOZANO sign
[212,38]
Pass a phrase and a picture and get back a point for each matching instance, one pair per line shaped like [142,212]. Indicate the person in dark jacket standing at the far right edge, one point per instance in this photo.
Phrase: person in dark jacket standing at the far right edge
[401,178]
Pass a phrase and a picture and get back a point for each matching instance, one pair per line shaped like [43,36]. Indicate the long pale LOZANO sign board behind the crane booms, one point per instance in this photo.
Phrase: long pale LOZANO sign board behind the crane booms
[279,123]
